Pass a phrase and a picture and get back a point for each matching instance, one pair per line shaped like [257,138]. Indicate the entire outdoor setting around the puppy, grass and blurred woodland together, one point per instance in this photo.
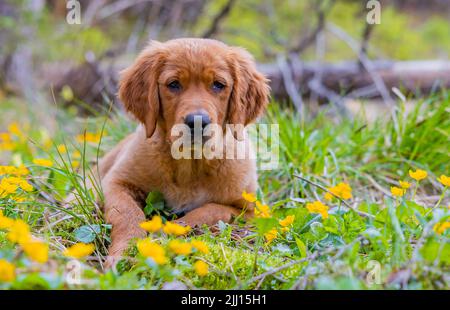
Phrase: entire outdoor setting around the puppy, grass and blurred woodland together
[360,91]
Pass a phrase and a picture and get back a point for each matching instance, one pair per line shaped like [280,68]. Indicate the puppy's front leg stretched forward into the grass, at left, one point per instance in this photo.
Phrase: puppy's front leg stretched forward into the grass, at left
[125,214]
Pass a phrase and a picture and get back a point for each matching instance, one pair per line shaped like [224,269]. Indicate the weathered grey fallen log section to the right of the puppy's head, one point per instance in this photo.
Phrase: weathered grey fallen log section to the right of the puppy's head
[346,78]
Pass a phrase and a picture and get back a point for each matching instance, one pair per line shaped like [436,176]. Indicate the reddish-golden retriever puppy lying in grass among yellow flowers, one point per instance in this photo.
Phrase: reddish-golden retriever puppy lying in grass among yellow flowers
[175,83]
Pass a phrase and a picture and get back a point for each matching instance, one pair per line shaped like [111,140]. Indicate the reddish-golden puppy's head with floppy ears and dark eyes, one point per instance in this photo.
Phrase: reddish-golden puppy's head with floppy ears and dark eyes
[185,79]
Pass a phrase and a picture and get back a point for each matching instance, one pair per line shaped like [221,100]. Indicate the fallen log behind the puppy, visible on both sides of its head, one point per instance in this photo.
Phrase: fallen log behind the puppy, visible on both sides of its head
[338,82]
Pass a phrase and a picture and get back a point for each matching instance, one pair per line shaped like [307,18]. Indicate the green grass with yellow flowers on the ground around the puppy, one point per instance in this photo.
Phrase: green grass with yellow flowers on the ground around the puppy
[371,234]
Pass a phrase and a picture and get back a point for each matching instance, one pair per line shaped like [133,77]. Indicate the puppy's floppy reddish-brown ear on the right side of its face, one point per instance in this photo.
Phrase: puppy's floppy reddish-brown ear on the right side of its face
[251,91]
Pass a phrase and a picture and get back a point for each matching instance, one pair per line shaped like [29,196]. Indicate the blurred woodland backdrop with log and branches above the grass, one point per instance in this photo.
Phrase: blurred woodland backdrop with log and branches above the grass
[314,51]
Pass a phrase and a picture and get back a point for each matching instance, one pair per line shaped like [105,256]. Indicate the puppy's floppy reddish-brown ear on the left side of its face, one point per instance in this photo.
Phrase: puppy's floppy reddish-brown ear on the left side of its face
[138,86]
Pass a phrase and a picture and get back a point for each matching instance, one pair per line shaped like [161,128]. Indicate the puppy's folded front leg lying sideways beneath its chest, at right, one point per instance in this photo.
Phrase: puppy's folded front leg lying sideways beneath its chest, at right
[210,214]
